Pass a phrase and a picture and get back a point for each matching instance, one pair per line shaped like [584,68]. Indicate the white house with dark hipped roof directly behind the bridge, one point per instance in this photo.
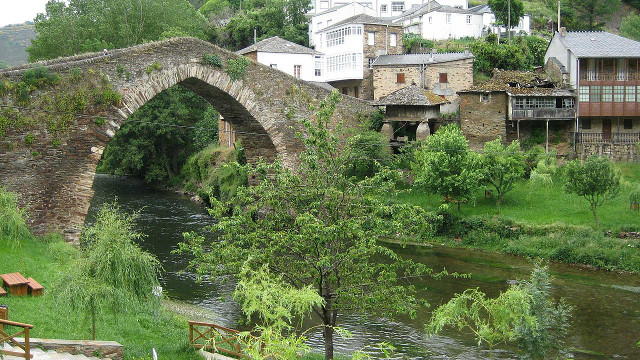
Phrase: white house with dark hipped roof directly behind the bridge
[296,60]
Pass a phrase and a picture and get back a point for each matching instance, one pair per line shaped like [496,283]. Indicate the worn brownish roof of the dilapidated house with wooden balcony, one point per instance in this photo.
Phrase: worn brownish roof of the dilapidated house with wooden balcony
[522,83]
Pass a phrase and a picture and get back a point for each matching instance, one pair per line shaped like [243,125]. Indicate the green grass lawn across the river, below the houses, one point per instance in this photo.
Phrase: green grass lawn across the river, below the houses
[539,204]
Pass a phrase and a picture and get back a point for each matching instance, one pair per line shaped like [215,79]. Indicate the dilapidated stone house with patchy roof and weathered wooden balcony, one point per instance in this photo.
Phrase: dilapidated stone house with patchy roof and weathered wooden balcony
[516,105]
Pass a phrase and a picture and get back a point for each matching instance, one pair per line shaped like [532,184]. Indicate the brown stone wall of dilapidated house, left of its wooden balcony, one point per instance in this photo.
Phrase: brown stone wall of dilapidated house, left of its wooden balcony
[483,121]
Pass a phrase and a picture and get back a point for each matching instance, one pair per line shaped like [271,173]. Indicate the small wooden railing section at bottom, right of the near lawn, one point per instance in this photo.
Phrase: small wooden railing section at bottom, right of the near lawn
[216,338]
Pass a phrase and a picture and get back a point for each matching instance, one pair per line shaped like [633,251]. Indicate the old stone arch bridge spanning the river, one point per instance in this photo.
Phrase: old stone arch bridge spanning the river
[264,107]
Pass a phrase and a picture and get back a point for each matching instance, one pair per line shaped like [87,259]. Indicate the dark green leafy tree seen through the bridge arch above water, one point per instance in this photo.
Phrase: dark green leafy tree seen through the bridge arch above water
[158,138]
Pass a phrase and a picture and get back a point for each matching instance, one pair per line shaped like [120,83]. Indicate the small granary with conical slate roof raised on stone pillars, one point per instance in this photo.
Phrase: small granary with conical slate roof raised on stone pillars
[412,113]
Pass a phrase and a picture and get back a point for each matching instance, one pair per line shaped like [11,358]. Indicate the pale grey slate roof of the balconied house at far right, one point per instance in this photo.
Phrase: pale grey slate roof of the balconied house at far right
[599,44]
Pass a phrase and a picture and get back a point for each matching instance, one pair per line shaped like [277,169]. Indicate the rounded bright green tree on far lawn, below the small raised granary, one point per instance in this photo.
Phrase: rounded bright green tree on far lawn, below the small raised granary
[445,165]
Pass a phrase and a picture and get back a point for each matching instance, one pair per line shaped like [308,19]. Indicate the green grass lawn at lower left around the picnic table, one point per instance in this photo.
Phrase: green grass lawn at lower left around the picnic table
[138,332]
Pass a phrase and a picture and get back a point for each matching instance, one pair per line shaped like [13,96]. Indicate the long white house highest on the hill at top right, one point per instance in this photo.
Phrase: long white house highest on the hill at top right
[436,21]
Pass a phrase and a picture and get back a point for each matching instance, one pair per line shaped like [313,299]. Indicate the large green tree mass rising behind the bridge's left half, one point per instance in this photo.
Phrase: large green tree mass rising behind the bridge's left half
[77,26]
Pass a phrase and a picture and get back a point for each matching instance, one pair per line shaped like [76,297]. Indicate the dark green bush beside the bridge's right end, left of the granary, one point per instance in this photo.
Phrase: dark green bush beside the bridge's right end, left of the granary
[366,153]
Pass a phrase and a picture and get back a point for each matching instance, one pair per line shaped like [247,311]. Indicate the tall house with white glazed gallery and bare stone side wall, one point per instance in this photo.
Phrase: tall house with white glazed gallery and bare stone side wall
[350,46]
